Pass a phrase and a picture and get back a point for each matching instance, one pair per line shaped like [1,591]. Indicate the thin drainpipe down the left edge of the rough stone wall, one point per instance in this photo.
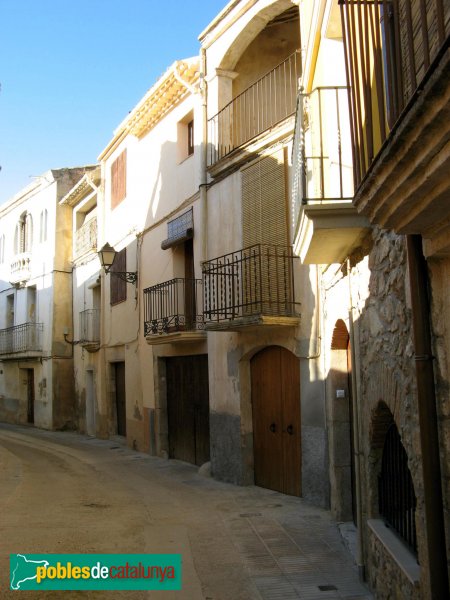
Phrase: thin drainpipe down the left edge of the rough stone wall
[359,521]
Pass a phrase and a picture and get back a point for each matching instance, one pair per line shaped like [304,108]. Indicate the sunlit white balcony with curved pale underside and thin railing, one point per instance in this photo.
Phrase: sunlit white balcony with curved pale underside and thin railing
[327,226]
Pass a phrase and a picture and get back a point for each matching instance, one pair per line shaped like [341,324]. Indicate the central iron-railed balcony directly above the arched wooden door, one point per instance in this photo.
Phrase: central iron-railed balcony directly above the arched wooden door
[252,287]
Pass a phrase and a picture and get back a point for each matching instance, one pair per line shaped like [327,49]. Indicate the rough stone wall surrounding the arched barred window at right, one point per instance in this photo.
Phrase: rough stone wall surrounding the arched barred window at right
[386,378]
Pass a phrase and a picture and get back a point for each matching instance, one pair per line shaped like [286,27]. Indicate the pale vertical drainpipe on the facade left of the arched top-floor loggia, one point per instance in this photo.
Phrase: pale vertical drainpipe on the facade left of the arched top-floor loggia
[203,157]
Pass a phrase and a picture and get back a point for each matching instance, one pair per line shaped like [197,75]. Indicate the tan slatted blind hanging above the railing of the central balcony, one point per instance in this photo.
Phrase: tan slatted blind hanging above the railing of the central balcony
[264,214]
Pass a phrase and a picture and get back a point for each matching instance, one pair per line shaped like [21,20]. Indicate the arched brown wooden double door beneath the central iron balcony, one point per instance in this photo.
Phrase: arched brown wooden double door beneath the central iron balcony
[275,377]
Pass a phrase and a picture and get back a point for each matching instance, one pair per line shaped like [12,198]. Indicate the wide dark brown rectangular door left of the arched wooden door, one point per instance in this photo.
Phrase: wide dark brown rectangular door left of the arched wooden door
[188,408]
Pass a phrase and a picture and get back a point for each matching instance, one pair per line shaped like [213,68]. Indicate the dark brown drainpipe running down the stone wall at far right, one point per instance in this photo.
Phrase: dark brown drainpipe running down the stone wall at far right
[428,424]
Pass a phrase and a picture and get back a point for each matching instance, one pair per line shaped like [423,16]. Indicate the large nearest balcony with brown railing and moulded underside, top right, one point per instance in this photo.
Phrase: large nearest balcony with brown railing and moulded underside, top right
[400,114]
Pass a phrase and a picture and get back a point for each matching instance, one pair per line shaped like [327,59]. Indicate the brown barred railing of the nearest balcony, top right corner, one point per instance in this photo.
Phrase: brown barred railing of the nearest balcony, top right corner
[391,47]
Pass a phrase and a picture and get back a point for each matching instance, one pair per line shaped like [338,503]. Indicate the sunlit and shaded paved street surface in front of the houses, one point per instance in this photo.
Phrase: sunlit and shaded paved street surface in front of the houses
[68,493]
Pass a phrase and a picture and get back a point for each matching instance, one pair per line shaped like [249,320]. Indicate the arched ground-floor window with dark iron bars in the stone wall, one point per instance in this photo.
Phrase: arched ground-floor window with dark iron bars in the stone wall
[396,497]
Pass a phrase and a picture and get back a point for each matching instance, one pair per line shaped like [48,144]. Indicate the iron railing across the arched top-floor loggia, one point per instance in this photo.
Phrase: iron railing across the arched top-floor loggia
[267,102]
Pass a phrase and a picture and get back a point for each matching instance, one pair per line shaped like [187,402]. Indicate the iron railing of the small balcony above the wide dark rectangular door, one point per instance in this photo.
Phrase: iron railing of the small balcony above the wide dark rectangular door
[174,305]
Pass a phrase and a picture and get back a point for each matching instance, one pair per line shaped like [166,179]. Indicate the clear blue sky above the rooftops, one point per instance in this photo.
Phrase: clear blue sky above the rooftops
[71,70]
